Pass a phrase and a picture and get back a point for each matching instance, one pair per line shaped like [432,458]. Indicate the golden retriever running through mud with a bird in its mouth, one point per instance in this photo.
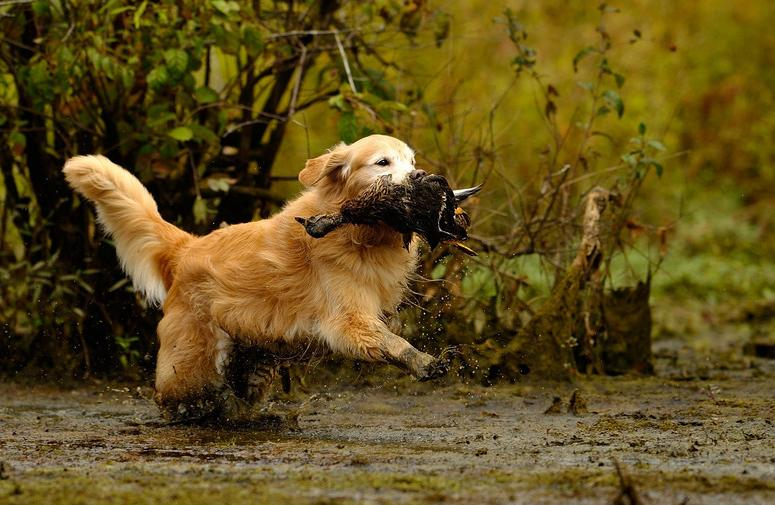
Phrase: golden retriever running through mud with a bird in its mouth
[264,283]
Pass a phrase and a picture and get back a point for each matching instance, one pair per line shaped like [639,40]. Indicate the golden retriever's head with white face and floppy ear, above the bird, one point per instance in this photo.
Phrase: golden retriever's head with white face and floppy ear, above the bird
[349,169]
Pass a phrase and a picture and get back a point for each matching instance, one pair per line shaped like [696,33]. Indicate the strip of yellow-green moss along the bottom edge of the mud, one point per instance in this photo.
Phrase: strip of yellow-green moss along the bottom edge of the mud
[204,485]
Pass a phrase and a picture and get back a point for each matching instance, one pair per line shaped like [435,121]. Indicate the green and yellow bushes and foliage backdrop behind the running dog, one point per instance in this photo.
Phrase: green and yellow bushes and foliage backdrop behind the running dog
[216,105]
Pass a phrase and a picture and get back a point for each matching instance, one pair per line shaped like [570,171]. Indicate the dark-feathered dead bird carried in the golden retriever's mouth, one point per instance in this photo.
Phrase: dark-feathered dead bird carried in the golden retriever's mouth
[422,203]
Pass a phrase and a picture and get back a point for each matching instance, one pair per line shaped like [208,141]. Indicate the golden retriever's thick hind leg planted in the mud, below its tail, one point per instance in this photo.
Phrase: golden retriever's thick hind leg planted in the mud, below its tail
[190,369]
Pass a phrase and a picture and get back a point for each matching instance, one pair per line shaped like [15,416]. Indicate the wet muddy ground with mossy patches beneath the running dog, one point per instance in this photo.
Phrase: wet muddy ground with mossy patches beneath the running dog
[701,431]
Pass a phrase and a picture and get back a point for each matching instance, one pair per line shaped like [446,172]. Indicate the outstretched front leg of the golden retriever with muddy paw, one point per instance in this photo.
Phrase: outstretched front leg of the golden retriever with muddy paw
[368,338]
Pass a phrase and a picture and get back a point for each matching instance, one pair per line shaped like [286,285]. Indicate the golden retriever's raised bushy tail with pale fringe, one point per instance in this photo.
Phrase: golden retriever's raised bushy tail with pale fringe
[146,244]
